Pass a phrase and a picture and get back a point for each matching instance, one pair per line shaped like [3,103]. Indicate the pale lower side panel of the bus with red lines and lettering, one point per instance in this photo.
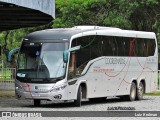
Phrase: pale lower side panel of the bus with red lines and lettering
[107,79]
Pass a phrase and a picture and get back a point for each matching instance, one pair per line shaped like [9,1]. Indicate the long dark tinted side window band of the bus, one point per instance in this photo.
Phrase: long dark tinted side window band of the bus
[96,46]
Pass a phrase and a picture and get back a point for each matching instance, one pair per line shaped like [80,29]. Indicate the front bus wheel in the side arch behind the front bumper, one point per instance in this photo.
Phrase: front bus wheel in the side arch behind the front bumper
[79,97]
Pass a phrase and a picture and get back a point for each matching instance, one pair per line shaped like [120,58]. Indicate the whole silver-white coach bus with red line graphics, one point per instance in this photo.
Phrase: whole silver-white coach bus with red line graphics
[86,62]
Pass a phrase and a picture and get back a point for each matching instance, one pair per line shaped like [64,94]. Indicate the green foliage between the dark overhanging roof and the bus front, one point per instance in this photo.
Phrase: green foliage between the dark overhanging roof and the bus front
[12,39]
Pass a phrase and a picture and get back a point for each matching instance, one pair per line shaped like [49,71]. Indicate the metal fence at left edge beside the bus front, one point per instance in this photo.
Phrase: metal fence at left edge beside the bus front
[7,79]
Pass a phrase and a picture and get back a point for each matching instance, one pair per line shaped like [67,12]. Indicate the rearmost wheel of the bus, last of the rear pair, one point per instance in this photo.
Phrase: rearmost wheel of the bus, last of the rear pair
[140,91]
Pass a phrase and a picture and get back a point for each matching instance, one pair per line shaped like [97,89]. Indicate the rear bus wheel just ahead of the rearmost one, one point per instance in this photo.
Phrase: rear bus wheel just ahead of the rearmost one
[132,95]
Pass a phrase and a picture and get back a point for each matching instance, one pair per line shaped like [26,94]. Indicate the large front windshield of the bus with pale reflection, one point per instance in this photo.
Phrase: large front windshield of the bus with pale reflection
[41,60]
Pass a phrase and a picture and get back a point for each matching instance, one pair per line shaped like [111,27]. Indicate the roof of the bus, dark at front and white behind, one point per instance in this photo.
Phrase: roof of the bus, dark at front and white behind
[79,31]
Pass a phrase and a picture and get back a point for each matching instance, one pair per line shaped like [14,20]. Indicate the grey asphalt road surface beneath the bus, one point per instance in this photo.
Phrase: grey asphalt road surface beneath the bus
[149,103]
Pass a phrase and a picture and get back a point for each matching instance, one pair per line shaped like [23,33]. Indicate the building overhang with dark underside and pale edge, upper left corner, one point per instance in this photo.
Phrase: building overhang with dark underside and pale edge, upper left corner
[25,13]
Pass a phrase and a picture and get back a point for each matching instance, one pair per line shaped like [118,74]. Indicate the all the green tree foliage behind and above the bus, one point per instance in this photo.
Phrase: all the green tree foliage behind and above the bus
[143,15]
